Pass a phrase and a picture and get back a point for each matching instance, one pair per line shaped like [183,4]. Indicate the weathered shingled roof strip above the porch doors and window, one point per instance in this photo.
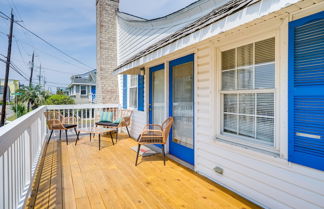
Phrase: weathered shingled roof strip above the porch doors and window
[216,15]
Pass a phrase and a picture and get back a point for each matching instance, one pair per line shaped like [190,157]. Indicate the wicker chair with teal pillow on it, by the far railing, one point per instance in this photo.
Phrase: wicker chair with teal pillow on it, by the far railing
[116,119]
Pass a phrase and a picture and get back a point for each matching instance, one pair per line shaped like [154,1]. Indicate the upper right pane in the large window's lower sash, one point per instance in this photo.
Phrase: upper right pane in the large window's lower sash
[265,104]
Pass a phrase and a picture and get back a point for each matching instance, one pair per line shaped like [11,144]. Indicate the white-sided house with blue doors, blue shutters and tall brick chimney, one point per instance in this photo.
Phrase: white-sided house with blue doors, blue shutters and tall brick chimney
[244,81]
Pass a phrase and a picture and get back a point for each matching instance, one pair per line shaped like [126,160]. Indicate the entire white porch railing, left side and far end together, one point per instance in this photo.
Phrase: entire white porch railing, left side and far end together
[21,144]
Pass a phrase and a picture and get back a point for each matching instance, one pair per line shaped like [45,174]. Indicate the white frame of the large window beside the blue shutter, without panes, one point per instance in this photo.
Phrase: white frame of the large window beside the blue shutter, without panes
[241,140]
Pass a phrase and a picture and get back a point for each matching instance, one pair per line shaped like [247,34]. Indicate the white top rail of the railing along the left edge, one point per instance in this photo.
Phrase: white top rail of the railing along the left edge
[10,132]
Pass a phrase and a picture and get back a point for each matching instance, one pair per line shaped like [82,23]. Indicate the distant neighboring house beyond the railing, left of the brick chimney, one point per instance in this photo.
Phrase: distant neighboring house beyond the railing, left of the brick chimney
[83,88]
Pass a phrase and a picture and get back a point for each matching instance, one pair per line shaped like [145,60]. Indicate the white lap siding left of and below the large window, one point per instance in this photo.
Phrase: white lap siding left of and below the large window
[269,181]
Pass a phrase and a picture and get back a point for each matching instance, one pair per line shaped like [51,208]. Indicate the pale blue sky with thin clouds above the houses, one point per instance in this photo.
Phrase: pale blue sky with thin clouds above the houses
[68,24]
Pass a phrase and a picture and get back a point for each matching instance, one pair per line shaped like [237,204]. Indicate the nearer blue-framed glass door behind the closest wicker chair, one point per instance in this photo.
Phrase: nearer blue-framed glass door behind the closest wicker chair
[181,108]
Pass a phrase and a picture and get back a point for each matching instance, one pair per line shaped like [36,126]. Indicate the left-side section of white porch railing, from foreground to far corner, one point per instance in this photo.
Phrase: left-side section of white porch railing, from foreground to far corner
[21,143]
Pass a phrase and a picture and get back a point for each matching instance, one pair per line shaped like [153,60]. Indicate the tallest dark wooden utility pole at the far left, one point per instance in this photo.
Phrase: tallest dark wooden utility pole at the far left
[5,89]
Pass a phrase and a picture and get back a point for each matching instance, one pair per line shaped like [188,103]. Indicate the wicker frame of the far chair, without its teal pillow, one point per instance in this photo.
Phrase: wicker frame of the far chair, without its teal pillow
[125,116]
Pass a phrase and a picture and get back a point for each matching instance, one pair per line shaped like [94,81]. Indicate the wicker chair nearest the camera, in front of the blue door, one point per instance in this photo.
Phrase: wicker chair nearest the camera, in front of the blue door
[155,134]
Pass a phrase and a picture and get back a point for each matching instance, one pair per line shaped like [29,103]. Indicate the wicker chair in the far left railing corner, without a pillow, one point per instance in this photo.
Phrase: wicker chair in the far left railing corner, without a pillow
[56,121]
